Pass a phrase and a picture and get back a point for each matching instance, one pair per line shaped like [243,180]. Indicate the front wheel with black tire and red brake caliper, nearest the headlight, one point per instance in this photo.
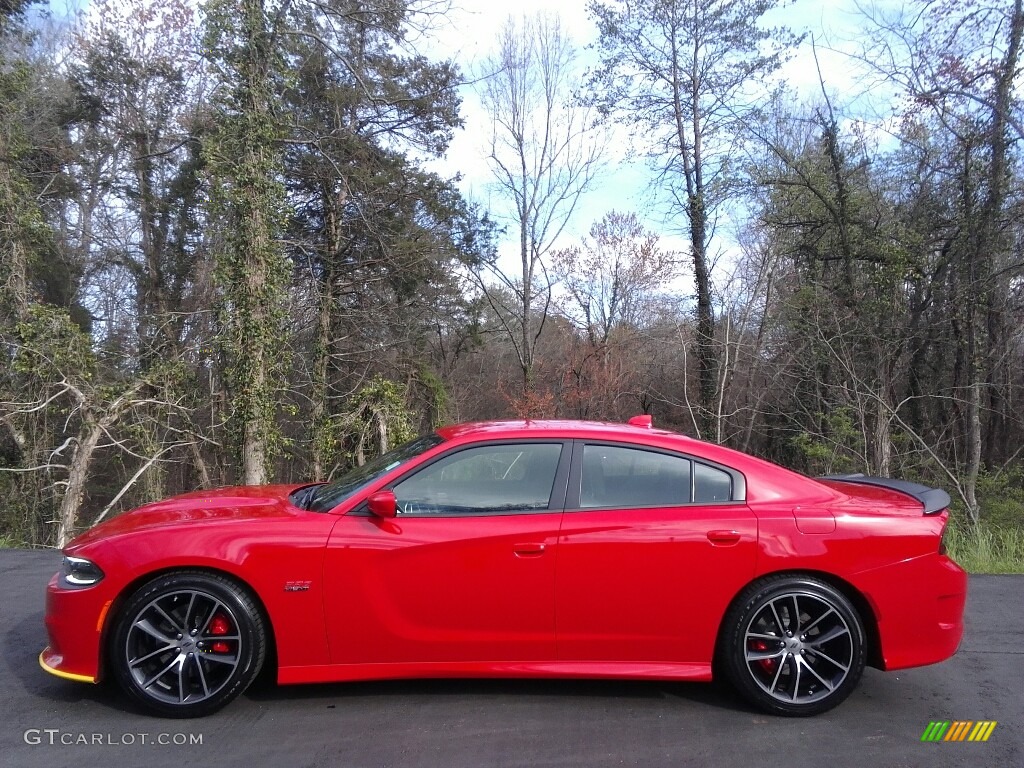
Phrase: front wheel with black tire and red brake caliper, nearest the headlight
[187,644]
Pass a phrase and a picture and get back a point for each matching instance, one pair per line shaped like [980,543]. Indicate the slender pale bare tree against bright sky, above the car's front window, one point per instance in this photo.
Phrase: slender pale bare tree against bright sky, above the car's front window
[544,154]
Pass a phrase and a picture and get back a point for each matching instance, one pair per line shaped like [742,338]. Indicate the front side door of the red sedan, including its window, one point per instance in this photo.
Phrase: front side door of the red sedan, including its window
[465,573]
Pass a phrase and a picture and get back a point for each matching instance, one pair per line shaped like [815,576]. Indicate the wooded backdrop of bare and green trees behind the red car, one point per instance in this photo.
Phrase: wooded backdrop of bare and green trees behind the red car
[236,248]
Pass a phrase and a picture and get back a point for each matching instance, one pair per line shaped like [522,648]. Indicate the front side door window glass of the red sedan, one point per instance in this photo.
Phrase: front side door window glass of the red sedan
[482,481]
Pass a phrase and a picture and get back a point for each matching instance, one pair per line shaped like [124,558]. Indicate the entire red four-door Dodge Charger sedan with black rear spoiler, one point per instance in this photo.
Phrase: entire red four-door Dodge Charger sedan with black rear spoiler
[552,549]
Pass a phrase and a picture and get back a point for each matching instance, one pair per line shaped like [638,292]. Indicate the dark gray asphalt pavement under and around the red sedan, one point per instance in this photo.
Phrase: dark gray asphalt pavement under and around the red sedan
[472,724]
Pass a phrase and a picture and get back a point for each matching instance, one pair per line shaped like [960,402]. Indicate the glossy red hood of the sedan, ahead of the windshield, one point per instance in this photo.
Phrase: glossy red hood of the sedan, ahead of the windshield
[223,505]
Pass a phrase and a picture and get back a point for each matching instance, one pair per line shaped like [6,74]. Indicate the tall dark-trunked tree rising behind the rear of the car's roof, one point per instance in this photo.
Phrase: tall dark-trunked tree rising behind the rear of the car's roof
[689,74]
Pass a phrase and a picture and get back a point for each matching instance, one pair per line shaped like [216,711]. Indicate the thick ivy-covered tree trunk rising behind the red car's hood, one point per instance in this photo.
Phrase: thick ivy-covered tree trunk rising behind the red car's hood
[245,162]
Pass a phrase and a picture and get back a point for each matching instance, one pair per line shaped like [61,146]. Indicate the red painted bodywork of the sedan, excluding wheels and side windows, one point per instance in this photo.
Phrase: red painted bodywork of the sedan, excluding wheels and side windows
[637,592]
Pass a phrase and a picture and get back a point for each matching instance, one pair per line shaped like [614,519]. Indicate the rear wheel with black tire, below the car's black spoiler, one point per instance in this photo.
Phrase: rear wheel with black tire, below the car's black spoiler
[793,646]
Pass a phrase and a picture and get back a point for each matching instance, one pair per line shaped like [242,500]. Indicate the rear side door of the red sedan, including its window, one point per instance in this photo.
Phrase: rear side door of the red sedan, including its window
[653,547]
